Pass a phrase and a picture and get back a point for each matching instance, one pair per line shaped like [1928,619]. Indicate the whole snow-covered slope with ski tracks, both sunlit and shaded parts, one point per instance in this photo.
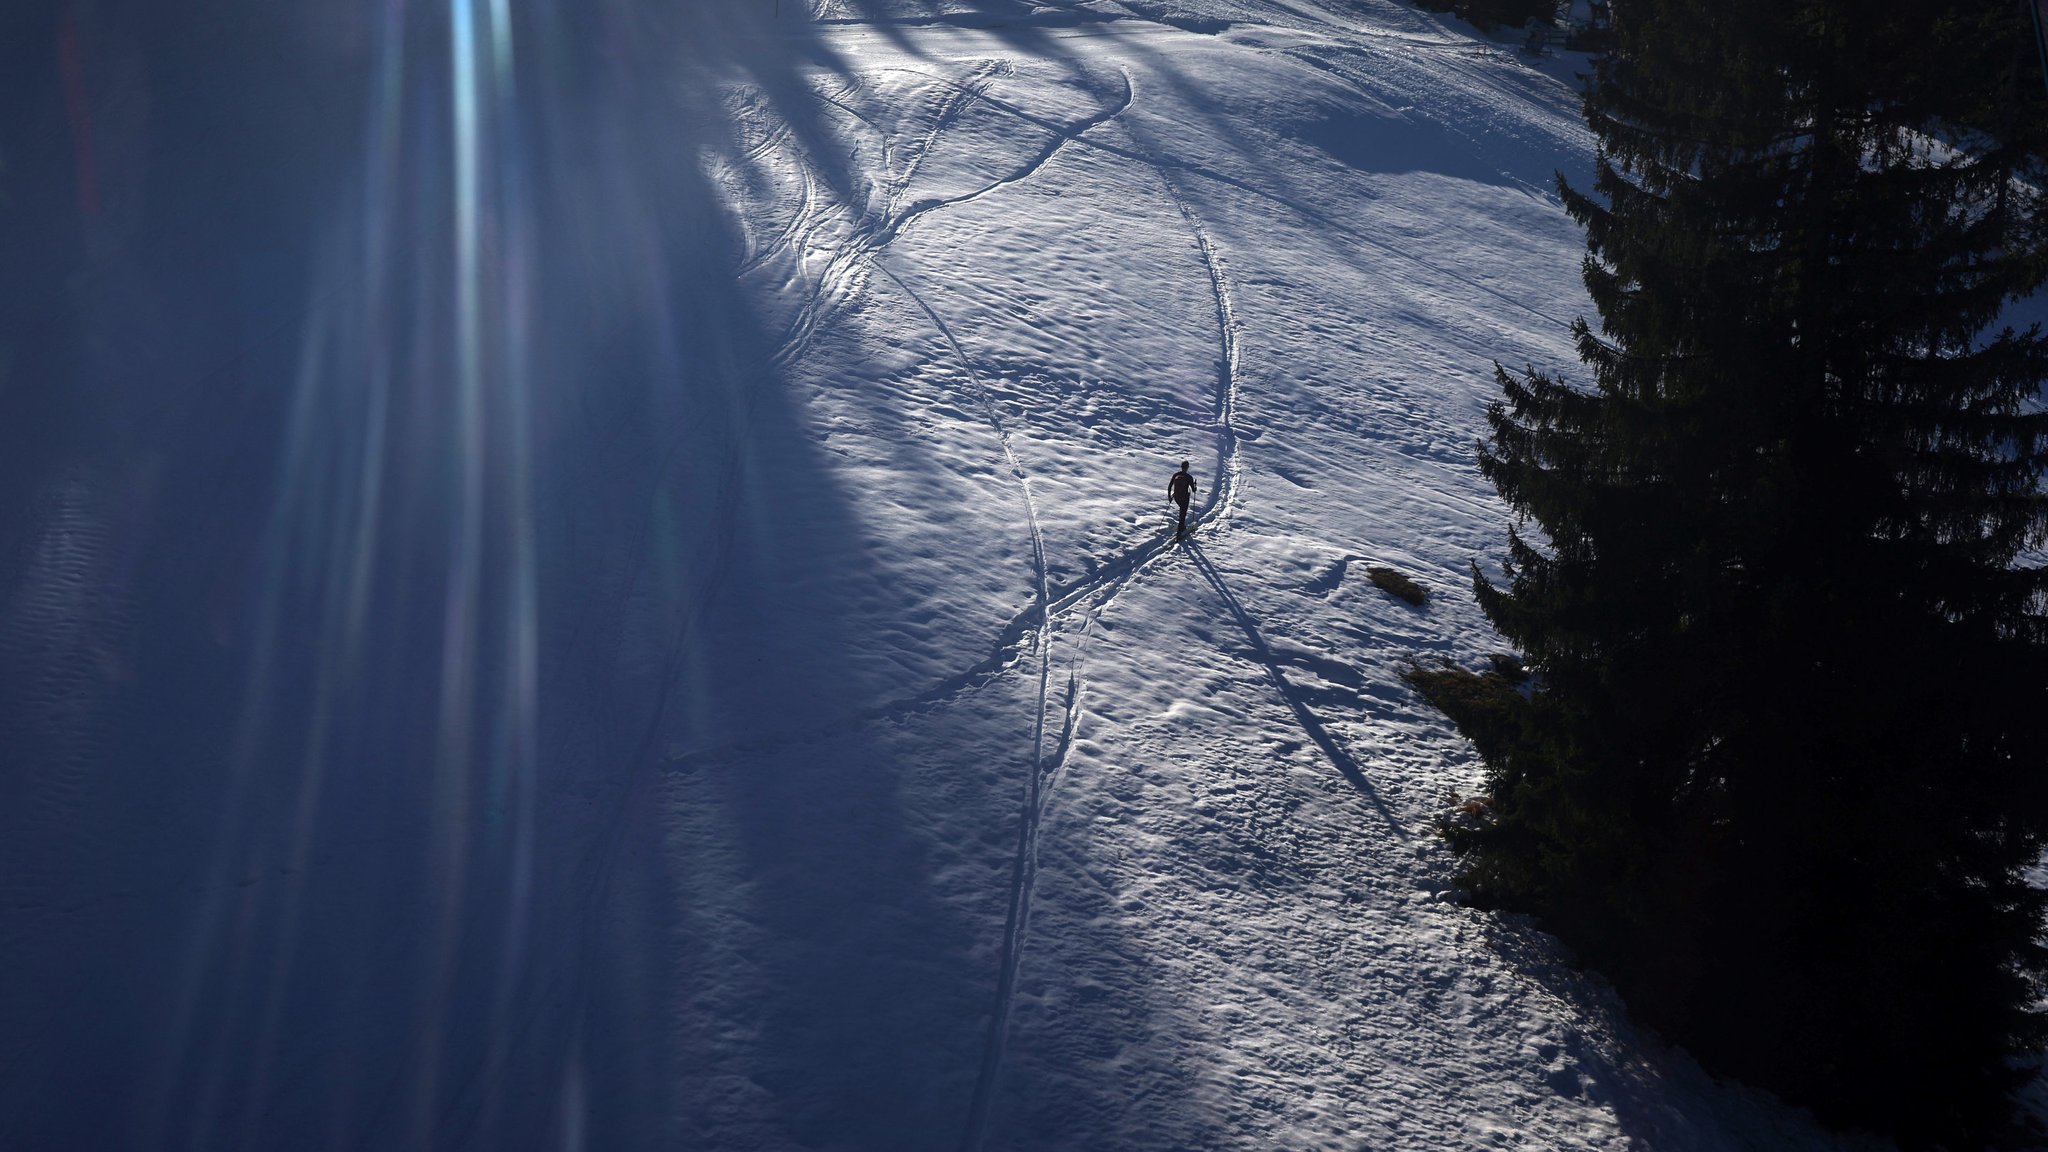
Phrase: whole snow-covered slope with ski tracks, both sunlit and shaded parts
[634,606]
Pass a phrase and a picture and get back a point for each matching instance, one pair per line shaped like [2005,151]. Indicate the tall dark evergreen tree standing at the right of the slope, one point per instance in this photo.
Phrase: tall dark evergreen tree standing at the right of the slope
[1787,757]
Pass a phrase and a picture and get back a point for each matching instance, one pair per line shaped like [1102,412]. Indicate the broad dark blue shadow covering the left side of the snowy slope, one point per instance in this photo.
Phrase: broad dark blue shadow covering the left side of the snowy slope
[357,577]
